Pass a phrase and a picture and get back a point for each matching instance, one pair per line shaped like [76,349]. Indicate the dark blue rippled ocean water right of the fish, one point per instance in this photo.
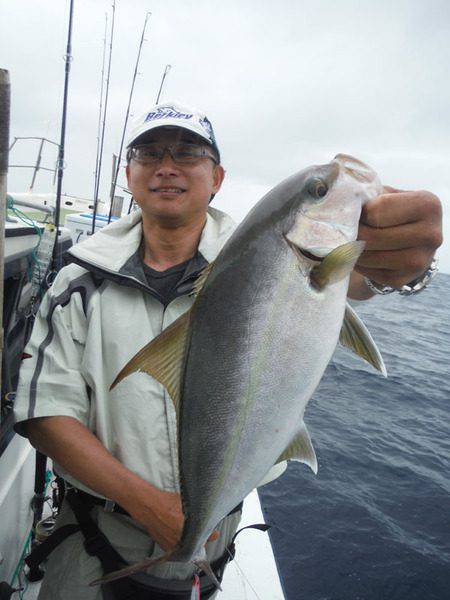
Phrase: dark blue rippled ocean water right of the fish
[374,524]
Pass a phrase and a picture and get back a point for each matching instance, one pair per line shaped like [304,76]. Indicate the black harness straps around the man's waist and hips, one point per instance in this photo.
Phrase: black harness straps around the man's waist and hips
[137,587]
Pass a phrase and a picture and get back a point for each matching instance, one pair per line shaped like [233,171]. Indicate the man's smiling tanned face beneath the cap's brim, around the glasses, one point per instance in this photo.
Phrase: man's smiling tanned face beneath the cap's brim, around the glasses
[170,193]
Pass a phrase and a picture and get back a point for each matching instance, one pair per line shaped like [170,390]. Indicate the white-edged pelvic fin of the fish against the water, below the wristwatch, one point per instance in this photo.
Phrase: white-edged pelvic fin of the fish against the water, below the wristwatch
[355,335]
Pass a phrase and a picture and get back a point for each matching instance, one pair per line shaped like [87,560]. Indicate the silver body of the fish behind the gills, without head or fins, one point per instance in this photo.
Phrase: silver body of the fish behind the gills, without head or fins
[260,341]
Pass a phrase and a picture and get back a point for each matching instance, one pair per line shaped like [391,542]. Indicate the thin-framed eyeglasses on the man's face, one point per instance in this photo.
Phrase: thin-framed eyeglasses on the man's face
[182,153]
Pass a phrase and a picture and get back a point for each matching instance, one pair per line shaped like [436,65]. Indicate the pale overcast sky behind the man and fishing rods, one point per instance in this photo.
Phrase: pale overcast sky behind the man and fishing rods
[286,85]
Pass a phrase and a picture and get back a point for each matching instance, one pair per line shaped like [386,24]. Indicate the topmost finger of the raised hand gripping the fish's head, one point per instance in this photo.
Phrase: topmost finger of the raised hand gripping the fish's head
[400,208]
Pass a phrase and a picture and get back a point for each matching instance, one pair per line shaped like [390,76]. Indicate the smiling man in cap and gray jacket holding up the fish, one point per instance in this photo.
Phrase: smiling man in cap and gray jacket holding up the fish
[125,285]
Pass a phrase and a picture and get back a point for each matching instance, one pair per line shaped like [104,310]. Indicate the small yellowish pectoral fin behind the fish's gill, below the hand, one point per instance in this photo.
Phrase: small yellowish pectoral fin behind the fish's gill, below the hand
[336,265]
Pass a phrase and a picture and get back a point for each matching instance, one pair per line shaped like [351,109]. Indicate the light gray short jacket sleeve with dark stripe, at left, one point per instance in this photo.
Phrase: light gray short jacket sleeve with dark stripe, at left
[51,381]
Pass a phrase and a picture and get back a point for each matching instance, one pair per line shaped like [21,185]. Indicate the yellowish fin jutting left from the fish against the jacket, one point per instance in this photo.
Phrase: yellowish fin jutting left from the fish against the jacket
[163,358]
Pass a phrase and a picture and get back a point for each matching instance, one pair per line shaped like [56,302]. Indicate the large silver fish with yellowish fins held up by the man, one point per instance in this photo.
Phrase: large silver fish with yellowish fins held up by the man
[243,362]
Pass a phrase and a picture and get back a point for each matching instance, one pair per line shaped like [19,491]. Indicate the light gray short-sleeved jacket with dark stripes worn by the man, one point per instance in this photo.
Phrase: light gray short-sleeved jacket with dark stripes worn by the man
[98,313]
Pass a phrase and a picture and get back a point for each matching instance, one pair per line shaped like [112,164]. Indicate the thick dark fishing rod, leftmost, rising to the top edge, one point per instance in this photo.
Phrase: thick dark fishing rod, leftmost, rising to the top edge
[56,262]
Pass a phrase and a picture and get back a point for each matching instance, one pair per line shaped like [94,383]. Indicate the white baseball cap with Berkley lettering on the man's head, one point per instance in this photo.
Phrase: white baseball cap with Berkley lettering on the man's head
[173,114]
